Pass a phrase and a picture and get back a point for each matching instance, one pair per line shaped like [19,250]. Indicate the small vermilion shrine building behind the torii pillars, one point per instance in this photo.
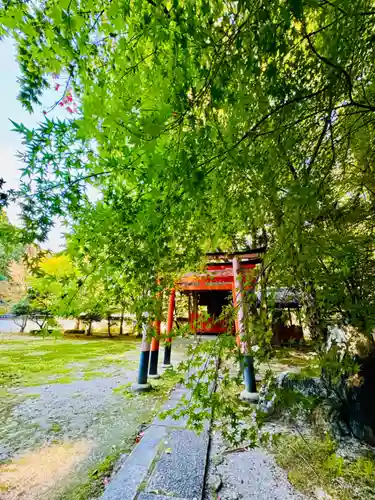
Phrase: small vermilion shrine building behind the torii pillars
[211,290]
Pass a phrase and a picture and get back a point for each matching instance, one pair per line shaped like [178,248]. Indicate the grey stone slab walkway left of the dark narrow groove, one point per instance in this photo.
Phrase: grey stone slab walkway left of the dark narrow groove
[168,463]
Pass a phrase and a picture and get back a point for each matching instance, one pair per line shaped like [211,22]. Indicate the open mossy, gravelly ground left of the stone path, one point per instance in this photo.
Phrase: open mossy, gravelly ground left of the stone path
[64,407]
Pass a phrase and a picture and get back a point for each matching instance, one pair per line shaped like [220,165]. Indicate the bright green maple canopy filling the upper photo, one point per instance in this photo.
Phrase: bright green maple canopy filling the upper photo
[200,123]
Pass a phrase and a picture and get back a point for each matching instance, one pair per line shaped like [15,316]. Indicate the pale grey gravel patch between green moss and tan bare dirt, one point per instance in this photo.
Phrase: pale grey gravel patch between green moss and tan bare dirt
[63,411]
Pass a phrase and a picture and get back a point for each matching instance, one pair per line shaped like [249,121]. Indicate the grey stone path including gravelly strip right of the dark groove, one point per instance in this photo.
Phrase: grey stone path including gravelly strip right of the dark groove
[173,463]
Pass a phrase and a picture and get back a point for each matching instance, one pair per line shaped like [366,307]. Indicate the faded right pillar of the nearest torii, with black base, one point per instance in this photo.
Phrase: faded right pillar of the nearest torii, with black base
[247,361]
